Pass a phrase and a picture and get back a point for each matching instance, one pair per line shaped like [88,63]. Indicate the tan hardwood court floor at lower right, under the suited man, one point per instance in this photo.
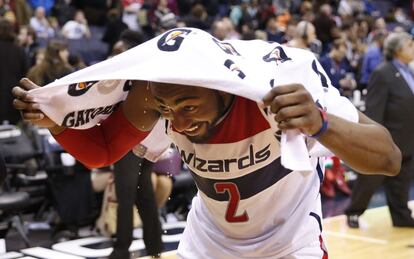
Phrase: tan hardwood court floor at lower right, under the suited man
[376,238]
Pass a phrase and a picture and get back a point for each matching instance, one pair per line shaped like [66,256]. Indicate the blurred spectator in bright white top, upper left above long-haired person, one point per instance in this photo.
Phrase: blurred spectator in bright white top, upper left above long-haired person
[77,28]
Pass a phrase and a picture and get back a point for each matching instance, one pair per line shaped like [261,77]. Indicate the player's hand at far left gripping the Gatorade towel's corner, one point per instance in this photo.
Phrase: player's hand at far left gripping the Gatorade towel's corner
[29,109]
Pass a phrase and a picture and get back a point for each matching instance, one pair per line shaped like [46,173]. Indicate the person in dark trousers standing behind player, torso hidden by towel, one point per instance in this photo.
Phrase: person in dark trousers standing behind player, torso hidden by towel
[132,172]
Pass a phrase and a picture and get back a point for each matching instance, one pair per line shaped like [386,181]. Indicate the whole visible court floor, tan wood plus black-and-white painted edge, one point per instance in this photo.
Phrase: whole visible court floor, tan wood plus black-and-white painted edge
[376,238]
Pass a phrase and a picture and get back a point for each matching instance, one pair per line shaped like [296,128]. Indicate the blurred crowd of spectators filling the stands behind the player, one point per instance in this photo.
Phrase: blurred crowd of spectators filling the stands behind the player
[47,39]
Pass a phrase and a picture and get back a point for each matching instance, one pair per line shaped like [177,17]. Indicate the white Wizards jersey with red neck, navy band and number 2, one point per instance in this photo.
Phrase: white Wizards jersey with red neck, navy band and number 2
[248,205]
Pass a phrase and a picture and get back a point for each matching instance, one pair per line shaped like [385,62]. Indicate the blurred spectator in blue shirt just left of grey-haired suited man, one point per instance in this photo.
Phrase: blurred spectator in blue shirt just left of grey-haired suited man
[372,57]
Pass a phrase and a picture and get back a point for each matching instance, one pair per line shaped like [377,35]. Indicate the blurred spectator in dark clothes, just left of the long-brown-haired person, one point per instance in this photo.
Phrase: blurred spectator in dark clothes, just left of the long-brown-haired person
[28,40]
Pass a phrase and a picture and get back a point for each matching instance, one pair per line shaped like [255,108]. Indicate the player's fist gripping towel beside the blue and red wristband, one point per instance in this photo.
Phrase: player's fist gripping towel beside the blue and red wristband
[294,108]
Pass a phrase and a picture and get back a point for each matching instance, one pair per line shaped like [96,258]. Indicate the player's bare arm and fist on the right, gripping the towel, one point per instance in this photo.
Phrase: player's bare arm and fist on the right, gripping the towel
[365,146]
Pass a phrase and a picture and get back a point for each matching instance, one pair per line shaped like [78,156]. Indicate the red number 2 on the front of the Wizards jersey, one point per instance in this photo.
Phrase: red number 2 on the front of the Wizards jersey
[234,198]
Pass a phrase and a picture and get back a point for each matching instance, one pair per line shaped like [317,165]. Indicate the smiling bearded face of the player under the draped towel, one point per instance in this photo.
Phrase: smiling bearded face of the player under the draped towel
[193,111]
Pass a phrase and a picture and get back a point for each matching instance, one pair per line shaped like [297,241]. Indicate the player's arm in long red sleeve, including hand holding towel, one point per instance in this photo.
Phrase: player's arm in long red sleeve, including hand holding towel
[100,145]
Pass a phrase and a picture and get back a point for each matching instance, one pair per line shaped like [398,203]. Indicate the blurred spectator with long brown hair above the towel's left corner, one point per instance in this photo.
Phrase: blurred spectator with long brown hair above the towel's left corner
[54,65]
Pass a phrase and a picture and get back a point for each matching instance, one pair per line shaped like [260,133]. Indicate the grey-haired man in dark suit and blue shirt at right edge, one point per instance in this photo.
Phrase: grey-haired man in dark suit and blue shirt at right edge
[390,102]
